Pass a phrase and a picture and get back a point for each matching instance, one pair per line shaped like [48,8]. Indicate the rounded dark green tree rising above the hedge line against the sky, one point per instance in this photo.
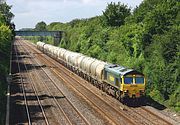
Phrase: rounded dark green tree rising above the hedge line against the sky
[115,14]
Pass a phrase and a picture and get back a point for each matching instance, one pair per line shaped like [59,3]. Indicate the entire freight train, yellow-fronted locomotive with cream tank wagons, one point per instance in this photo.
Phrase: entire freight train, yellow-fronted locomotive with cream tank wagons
[119,81]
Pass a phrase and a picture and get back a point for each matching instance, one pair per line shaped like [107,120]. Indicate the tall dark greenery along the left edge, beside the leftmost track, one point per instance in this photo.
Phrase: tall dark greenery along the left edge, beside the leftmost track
[6,36]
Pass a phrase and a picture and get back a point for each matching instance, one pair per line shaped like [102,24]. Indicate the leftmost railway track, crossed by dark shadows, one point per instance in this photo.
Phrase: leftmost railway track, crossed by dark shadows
[24,81]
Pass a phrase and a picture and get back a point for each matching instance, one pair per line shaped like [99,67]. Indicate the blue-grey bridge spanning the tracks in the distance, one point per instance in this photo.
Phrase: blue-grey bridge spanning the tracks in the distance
[56,34]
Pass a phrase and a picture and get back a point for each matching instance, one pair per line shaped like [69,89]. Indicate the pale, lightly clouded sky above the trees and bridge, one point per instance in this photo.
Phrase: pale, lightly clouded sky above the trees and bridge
[29,12]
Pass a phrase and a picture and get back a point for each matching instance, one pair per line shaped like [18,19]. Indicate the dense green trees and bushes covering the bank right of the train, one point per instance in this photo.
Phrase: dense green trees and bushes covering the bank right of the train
[147,39]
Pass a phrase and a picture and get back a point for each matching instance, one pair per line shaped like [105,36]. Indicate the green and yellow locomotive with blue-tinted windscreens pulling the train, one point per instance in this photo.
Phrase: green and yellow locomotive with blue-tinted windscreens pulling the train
[128,82]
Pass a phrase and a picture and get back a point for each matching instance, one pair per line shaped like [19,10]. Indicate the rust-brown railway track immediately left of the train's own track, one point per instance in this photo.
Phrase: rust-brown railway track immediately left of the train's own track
[116,117]
